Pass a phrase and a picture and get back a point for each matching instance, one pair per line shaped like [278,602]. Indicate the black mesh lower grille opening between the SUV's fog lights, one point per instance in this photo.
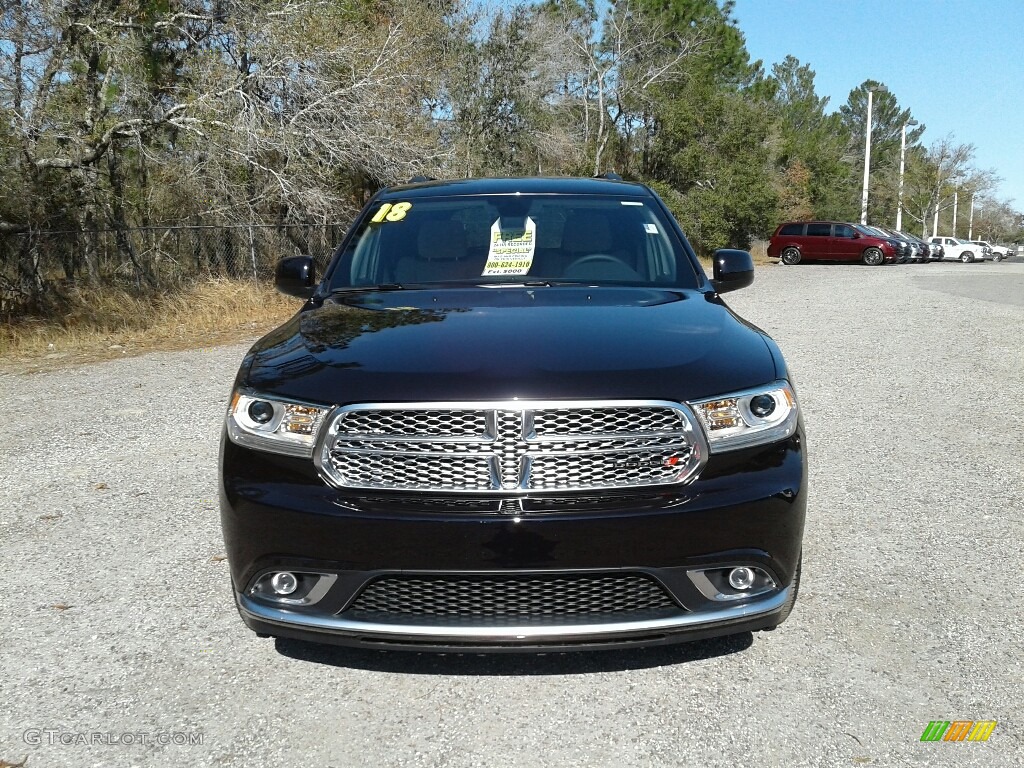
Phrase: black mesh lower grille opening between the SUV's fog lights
[510,598]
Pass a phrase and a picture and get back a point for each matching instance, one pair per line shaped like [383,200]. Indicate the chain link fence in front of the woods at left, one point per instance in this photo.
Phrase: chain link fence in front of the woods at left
[159,257]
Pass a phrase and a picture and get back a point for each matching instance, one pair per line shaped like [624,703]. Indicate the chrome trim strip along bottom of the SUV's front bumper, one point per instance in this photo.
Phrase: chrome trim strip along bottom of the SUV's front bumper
[510,634]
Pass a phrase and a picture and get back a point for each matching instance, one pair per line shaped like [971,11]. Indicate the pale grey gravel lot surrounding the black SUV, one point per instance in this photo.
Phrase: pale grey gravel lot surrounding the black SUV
[119,633]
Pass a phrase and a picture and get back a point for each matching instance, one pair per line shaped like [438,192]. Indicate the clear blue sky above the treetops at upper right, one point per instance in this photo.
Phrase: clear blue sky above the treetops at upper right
[957,65]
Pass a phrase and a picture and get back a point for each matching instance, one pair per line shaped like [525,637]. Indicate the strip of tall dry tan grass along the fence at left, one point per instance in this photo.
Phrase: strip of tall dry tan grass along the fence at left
[111,323]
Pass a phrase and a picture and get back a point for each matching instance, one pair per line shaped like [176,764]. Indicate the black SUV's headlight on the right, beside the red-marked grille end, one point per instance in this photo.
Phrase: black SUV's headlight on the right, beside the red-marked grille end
[751,418]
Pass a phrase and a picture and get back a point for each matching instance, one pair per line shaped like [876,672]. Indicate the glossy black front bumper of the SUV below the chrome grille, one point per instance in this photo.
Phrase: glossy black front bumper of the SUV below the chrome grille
[747,508]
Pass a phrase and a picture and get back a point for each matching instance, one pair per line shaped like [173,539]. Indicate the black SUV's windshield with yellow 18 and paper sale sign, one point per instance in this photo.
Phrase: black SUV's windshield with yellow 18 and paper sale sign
[494,239]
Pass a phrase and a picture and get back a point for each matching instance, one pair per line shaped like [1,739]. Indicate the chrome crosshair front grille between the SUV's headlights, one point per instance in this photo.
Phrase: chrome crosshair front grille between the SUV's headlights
[513,447]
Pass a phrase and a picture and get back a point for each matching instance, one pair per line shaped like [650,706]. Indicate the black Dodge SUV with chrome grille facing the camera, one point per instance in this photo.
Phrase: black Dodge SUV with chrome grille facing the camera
[515,414]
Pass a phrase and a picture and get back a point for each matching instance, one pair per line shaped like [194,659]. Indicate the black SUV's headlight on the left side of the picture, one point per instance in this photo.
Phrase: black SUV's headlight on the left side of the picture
[268,424]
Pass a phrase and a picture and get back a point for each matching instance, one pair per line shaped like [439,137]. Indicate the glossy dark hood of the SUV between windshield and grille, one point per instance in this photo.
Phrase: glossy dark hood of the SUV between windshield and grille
[499,344]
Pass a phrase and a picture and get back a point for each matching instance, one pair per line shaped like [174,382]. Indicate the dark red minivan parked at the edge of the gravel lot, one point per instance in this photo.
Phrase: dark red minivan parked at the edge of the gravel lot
[830,241]
